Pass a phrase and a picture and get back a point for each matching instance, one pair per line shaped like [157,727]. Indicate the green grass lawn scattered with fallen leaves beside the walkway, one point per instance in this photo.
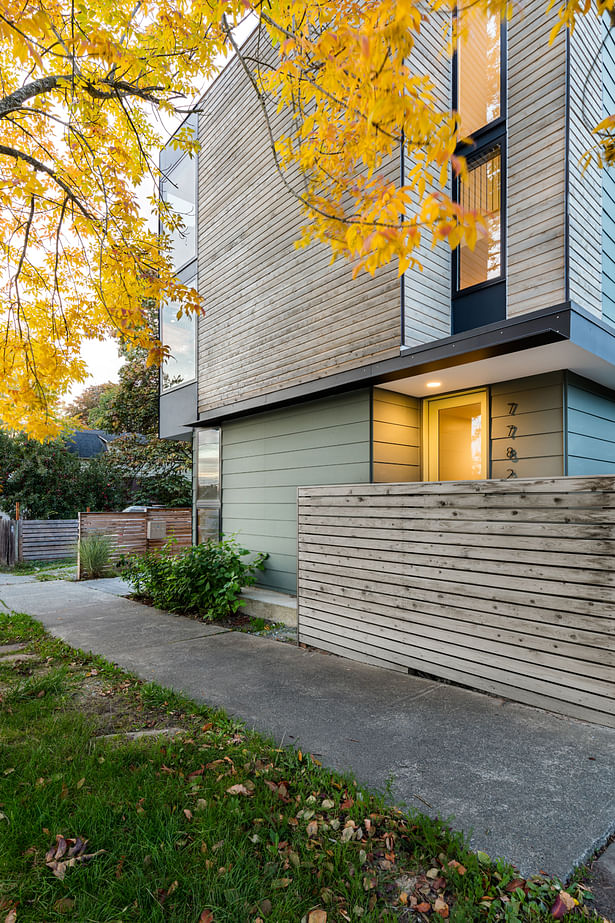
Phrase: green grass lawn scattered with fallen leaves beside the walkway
[211,824]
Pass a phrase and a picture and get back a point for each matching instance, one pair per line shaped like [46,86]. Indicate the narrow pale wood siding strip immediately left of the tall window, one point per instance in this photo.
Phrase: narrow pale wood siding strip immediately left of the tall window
[427,291]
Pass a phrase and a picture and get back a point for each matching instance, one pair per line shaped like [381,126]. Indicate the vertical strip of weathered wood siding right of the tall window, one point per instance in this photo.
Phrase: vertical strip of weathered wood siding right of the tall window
[536,148]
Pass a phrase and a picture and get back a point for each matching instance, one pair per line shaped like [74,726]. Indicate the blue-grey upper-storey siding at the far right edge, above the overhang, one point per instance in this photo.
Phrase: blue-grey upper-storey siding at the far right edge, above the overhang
[608,188]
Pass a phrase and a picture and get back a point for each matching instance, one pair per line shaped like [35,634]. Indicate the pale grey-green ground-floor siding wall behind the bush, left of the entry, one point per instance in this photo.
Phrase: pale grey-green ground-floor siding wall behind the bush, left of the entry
[265,458]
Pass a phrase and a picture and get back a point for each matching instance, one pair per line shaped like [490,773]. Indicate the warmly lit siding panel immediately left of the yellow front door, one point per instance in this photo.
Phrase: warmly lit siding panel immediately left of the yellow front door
[396,435]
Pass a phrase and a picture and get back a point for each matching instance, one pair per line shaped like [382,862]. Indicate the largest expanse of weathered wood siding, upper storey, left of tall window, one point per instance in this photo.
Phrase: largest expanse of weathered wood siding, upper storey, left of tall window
[275,316]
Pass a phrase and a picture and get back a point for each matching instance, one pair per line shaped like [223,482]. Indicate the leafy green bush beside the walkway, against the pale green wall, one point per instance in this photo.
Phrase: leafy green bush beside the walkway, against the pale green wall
[206,579]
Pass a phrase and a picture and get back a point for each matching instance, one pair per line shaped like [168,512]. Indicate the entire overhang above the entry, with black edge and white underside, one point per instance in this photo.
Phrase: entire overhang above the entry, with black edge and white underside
[562,337]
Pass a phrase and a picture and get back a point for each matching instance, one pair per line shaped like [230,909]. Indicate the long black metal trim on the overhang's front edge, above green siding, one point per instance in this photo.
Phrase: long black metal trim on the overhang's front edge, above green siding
[550,325]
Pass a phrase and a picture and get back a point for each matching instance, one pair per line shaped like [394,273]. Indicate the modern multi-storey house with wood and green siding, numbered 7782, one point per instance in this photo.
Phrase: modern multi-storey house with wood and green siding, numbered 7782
[494,363]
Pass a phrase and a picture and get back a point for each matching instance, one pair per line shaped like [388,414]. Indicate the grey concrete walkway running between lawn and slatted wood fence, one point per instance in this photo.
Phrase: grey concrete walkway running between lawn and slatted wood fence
[530,786]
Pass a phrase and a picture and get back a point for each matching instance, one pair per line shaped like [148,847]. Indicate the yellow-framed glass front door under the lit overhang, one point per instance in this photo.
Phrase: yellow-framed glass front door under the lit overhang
[455,437]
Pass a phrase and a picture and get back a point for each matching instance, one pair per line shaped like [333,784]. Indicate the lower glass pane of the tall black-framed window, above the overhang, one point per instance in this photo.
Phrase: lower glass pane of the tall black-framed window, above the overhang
[481,191]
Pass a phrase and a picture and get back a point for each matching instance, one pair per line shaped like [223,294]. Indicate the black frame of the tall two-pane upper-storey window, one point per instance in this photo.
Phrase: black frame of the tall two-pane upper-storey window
[483,140]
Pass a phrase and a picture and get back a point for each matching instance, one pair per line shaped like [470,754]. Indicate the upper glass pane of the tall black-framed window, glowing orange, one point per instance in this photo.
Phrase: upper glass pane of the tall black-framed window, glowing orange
[478,71]
